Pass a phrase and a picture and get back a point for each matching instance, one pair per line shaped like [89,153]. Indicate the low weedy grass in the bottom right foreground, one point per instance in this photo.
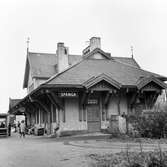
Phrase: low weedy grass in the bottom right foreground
[130,159]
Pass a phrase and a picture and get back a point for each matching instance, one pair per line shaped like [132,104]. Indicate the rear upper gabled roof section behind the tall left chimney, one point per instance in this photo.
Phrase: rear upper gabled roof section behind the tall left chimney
[43,65]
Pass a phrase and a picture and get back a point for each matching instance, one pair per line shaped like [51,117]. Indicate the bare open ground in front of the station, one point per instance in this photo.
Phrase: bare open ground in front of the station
[63,152]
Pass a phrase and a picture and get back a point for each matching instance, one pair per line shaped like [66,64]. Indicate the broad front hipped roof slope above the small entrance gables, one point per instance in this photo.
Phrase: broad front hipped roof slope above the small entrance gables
[124,74]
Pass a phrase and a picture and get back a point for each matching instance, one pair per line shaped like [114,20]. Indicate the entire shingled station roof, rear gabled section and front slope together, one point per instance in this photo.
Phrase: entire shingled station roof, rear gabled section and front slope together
[124,70]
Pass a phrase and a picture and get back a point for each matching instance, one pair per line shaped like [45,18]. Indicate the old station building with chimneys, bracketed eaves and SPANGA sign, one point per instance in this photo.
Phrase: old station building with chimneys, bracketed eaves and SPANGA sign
[80,93]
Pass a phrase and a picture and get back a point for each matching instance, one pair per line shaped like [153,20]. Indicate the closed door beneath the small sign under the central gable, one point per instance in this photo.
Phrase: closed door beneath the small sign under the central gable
[93,118]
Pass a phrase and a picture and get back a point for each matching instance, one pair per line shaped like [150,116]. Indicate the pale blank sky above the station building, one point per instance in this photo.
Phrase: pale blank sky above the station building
[120,24]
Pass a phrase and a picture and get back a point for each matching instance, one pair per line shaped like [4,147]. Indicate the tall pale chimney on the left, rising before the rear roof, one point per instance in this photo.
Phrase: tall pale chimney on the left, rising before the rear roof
[62,57]
